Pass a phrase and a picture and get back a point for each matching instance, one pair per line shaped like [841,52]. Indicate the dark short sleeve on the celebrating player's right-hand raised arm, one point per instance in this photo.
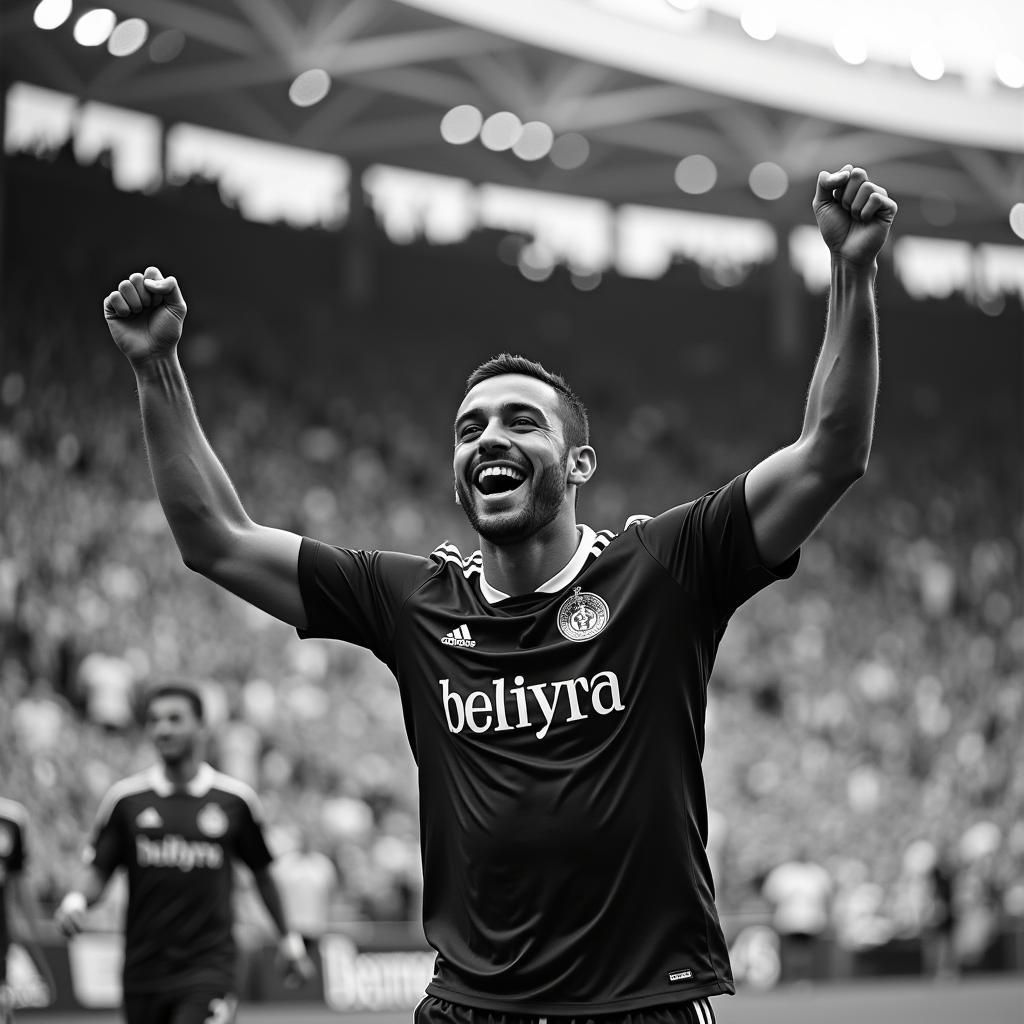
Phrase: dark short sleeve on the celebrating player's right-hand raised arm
[708,546]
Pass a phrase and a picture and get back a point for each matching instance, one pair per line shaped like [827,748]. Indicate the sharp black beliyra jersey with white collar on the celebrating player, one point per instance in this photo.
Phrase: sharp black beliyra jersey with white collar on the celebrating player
[559,738]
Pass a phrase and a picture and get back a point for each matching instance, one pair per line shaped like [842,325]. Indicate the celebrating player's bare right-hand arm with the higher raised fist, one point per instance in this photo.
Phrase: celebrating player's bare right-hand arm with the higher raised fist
[790,493]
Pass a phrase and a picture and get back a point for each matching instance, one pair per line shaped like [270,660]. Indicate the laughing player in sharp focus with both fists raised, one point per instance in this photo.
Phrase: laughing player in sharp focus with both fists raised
[553,682]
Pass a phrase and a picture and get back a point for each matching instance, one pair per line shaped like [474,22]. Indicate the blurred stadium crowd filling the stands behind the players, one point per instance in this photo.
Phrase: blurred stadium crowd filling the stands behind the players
[870,712]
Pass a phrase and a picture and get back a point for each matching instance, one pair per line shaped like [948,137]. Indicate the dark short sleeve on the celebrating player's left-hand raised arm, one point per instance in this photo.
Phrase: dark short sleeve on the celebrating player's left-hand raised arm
[356,595]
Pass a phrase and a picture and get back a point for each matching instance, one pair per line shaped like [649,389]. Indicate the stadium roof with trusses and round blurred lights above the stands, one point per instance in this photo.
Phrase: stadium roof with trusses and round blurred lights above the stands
[645,82]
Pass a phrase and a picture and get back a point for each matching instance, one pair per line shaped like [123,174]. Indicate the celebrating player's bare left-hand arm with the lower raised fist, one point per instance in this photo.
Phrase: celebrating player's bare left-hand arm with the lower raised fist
[211,529]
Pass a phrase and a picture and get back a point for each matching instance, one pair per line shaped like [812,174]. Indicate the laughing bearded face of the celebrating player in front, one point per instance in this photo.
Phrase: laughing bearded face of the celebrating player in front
[514,470]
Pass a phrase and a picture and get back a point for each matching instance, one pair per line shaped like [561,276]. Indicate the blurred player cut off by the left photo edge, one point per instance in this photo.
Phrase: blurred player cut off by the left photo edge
[15,888]
